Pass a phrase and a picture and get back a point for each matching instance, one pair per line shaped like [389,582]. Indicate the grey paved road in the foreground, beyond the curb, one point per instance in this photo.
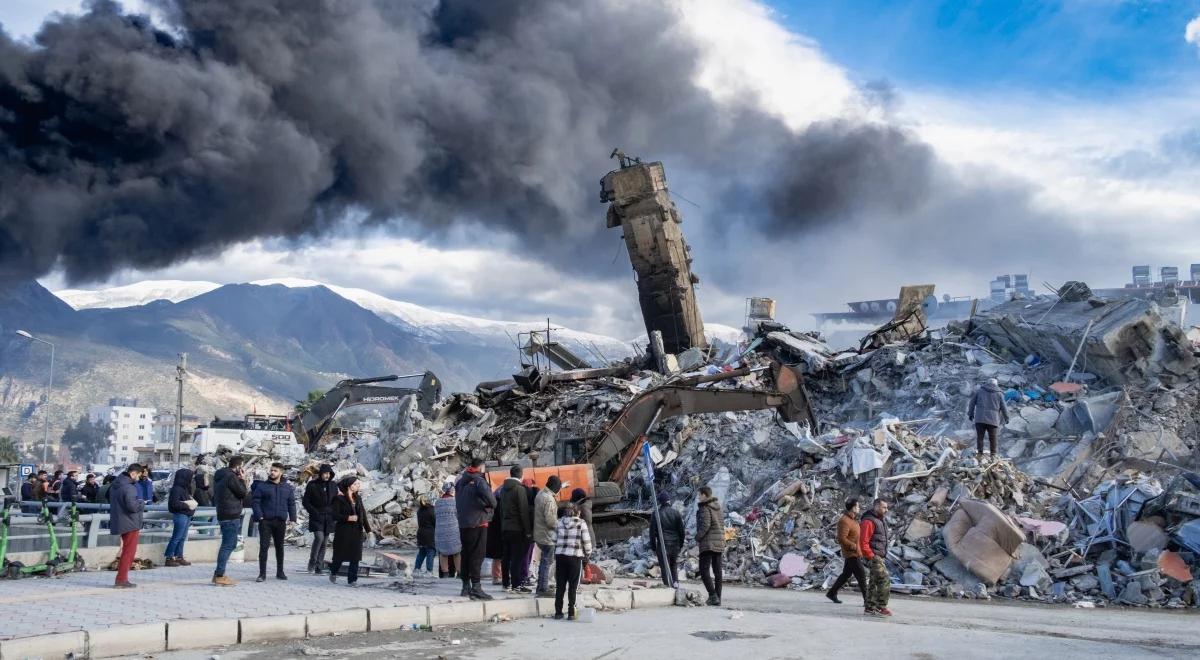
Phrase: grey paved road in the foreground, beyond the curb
[760,625]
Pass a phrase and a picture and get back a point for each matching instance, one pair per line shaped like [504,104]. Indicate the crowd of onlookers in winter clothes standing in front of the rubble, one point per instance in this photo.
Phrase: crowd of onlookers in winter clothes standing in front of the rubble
[467,524]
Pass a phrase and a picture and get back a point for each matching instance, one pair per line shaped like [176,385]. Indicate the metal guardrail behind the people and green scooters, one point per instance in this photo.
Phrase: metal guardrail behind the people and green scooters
[28,535]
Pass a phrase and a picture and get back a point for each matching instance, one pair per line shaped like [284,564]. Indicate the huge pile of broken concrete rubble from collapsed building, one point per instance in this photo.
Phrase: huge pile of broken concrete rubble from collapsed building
[1091,499]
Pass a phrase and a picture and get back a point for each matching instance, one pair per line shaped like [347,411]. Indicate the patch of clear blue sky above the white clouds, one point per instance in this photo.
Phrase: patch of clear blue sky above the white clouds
[1081,47]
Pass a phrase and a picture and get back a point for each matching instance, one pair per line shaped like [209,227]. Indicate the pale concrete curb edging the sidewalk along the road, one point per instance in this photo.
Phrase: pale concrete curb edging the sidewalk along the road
[179,635]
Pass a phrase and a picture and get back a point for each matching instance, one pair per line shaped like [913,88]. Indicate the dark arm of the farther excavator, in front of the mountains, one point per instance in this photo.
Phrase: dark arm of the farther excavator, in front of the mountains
[311,428]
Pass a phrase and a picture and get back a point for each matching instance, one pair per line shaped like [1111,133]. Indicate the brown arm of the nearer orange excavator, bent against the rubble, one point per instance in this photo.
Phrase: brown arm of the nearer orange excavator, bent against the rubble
[789,397]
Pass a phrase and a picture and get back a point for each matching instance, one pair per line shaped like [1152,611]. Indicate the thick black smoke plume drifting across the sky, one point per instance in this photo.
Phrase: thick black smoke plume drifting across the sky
[131,145]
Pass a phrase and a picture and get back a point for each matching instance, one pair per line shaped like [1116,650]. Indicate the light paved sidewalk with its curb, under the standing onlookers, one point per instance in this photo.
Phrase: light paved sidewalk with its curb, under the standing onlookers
[85,609]
